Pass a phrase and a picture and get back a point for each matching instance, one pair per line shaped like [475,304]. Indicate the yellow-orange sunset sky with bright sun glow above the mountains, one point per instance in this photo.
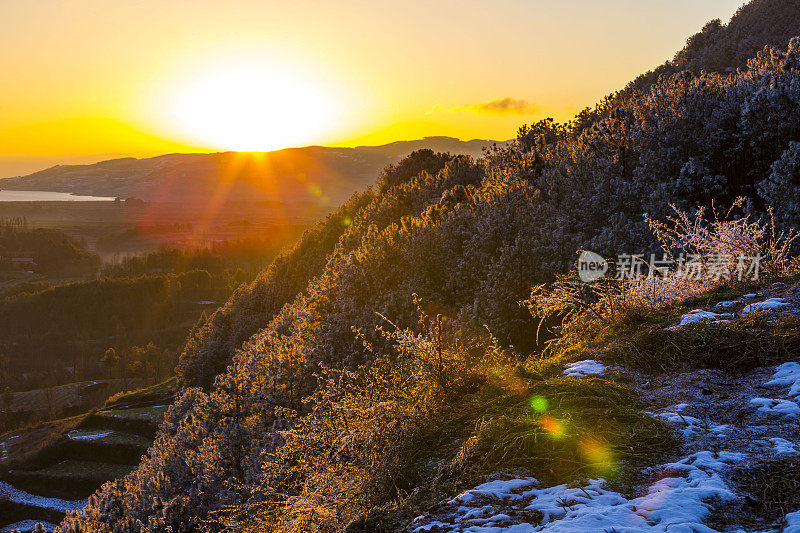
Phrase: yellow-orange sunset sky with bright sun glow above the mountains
[87,80]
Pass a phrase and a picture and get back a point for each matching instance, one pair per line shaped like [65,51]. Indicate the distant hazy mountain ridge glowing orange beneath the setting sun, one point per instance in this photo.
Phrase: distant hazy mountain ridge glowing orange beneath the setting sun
[324,175]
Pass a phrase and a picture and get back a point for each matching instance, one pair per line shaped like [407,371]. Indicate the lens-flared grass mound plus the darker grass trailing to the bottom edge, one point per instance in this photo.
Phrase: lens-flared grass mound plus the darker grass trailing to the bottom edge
[559,430]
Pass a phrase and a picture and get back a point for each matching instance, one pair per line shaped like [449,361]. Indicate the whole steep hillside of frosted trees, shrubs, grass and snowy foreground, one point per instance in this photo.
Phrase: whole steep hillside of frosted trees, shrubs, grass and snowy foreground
[366,390]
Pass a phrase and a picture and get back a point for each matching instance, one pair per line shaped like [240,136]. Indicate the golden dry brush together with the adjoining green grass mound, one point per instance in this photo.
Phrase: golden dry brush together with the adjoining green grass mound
[434,417]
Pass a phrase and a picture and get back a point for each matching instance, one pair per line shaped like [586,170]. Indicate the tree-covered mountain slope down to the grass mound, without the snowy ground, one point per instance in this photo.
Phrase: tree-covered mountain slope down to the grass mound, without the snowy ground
[377,390]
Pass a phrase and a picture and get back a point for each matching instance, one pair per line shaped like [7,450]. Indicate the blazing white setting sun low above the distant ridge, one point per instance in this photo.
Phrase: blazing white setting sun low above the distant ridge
[253,108]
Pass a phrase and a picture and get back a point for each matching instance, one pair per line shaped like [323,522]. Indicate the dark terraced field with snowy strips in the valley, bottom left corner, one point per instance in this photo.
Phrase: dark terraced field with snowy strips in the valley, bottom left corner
[53,468]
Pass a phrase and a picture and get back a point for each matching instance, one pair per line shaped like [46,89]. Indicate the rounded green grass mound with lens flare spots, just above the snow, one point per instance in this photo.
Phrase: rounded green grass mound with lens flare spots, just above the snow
[564,429]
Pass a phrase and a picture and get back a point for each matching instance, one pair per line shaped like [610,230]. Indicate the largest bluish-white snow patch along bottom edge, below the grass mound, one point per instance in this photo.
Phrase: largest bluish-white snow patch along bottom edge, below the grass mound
[675,503]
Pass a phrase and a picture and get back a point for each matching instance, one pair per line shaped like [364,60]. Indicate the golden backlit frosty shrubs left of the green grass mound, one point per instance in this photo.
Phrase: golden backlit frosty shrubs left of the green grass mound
[369,433]
